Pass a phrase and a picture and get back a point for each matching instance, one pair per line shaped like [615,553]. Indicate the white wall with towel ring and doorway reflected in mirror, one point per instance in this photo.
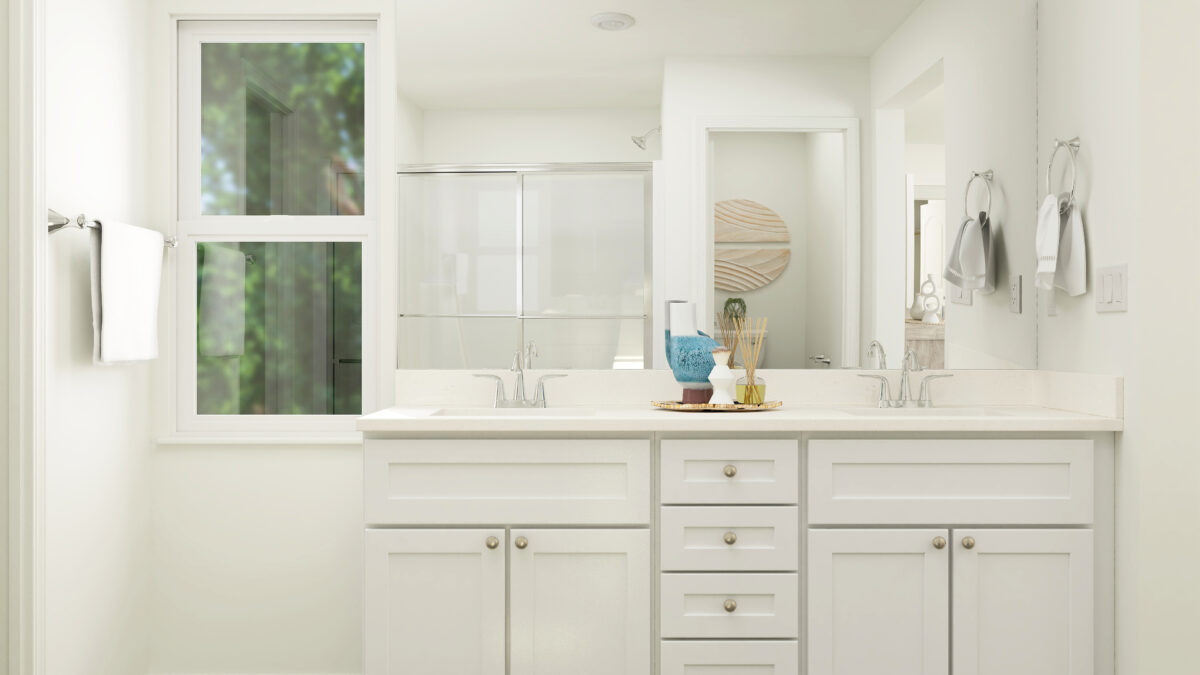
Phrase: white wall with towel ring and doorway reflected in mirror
[987,55]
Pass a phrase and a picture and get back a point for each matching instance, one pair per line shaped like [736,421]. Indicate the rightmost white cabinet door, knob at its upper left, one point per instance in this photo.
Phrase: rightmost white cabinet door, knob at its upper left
[1023,602]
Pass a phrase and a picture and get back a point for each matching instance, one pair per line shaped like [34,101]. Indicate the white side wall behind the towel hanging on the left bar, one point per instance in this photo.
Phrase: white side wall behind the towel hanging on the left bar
[98,505]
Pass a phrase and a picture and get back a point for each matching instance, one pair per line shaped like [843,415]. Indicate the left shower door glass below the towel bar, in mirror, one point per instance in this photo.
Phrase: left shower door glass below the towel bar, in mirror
[471,343]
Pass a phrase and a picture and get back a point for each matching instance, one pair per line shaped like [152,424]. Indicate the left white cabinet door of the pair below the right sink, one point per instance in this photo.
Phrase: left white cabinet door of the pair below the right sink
[879,602]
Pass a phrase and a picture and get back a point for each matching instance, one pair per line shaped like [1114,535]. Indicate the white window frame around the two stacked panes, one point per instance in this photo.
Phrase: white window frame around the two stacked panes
[193,228]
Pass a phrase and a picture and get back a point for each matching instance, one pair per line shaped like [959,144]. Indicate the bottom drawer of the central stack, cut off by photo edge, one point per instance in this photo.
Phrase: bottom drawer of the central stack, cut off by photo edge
[730,658]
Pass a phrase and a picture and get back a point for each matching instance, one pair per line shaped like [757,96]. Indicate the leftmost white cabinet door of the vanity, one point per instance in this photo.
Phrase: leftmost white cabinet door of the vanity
[435,602]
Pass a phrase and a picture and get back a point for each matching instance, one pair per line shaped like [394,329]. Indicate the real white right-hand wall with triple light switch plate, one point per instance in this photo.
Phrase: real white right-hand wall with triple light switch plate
[1124,77]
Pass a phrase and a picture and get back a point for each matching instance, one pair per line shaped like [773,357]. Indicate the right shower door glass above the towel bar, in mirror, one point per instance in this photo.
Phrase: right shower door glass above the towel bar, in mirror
[585,244]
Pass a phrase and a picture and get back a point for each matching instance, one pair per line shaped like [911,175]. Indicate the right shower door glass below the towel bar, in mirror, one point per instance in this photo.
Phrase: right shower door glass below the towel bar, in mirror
[590,344]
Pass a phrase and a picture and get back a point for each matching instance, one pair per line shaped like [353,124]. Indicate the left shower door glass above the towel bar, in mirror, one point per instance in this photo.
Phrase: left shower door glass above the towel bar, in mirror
[459,244]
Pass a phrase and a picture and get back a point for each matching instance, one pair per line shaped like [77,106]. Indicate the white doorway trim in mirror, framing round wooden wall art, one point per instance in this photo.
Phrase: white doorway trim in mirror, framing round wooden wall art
[703,211]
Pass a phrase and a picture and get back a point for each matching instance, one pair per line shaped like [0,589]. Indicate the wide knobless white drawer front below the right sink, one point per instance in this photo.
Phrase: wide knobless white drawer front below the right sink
[951,482]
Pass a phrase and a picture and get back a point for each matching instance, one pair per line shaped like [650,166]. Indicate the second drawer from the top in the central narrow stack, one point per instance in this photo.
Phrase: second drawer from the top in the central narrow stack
[764,539]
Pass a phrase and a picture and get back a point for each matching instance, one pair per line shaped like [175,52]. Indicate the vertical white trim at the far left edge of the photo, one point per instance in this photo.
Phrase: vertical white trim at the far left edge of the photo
[28,331]
